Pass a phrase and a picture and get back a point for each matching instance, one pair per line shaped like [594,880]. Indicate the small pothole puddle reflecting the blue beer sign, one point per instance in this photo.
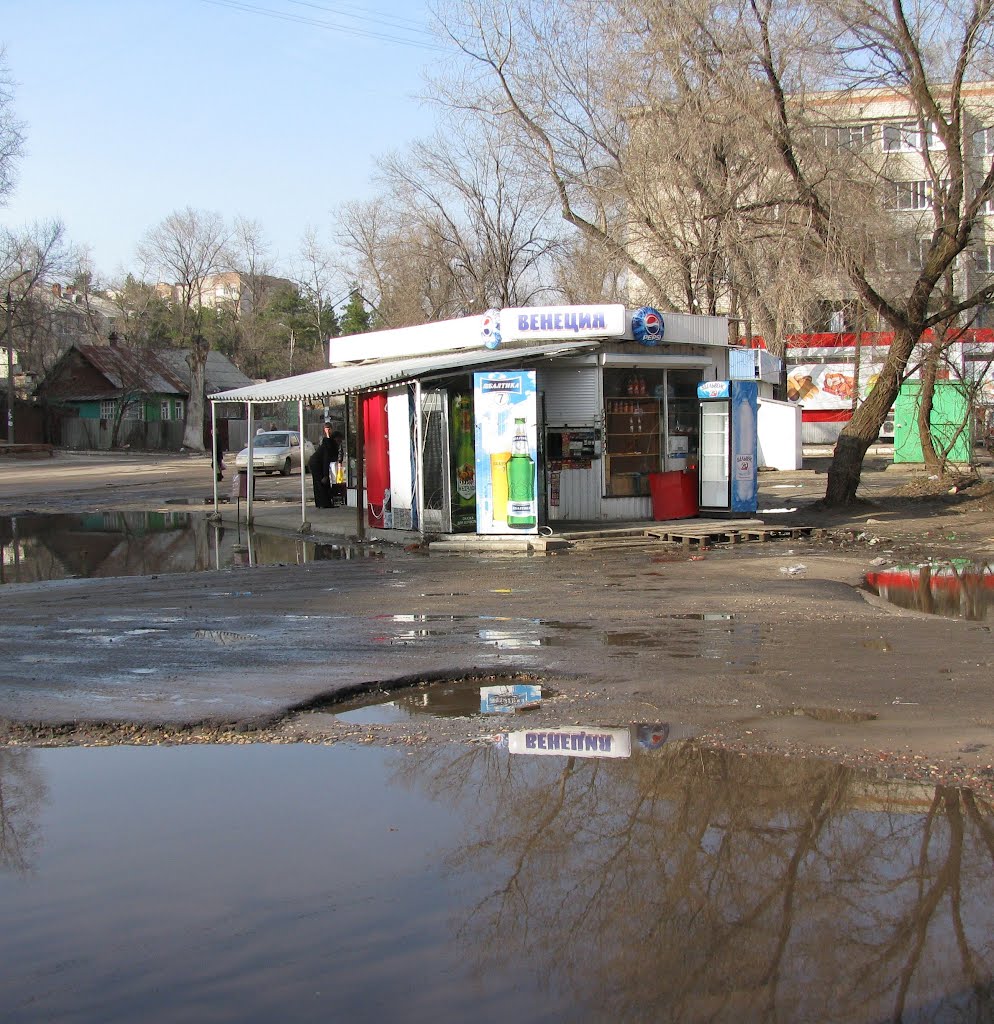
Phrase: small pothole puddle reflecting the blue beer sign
[465,699]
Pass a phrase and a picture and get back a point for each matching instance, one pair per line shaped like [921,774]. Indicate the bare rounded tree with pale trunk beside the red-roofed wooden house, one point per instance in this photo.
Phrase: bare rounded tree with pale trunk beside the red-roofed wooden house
[187,248]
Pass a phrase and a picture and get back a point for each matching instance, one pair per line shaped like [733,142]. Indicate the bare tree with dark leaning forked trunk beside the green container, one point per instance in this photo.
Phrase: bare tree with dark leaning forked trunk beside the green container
[929,56]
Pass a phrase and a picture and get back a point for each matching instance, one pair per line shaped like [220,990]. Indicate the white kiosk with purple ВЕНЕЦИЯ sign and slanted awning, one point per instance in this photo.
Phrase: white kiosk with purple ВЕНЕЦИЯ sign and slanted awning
[518,419]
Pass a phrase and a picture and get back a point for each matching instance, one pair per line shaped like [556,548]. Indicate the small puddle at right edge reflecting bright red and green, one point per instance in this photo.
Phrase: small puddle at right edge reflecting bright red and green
[957,589]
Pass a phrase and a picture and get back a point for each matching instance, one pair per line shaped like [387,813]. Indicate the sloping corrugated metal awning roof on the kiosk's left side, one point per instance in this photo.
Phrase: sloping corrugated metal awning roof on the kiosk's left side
[366,377]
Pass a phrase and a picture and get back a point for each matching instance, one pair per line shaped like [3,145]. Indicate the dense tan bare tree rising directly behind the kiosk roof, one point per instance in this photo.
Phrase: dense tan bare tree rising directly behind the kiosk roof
[638,151]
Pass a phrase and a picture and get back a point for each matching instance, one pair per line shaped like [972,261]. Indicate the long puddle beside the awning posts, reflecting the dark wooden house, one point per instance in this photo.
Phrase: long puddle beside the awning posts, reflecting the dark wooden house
[39,548]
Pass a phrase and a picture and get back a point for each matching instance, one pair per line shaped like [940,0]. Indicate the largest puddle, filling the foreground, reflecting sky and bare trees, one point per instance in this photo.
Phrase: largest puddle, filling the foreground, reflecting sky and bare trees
[470,883]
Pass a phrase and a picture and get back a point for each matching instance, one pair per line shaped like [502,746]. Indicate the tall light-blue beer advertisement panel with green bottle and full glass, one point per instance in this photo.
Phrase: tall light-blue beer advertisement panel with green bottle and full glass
[505,409]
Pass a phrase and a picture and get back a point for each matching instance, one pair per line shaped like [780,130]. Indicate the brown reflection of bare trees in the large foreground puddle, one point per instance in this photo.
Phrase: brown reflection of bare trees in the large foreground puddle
[706,885]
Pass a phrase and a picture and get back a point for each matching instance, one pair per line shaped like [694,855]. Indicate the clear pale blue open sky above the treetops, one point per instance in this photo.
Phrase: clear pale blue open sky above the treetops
[272,110]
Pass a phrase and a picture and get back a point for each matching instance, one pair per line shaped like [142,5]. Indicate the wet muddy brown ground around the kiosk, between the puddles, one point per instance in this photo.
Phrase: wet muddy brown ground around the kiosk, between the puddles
[725,644]
